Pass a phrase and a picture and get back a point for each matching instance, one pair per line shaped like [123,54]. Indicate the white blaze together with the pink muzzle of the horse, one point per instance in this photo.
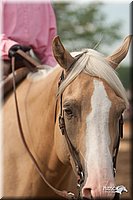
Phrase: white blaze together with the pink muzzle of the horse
[99,167]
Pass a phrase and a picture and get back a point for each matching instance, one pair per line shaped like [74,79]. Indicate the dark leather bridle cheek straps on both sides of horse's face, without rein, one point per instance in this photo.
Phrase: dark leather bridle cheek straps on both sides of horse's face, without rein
[75,154]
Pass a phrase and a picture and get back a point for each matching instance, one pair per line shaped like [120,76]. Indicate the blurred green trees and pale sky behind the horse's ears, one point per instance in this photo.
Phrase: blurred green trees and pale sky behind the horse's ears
[89,25]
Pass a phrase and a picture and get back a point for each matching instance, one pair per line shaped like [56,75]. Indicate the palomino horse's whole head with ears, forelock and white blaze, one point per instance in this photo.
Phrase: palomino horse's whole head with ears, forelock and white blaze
[93,100]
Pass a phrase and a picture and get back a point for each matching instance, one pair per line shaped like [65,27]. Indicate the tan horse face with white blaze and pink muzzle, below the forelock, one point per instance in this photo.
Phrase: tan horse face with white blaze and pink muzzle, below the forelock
[91,112]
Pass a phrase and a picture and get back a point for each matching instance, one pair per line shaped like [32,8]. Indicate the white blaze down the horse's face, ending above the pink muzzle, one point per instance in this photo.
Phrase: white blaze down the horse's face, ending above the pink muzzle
[97,131]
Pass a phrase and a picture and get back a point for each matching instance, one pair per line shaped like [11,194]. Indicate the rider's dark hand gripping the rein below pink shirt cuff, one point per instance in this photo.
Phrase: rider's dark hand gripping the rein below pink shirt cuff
[14,48]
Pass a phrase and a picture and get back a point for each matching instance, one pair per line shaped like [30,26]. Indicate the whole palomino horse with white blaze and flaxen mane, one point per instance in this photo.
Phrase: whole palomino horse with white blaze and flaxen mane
[91,100]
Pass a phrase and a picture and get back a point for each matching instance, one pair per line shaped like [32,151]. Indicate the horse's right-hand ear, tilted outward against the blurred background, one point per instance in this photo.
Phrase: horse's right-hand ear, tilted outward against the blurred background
[120,53]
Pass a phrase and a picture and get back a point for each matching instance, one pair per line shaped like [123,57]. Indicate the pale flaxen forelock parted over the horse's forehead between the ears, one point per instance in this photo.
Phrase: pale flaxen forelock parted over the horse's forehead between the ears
[94,64]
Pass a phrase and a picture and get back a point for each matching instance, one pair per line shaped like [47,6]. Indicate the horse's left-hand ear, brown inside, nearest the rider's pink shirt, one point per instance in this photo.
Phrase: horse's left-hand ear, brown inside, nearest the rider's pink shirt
[62,56]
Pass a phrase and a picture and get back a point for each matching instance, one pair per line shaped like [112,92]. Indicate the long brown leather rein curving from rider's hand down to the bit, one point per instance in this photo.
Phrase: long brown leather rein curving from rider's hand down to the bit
[64,194]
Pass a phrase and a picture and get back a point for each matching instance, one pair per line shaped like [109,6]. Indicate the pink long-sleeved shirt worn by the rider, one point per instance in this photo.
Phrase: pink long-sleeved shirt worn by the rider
[31,24]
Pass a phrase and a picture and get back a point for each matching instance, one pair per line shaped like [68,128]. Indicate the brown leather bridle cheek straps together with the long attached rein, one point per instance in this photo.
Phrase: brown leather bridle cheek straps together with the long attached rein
[74,153]
